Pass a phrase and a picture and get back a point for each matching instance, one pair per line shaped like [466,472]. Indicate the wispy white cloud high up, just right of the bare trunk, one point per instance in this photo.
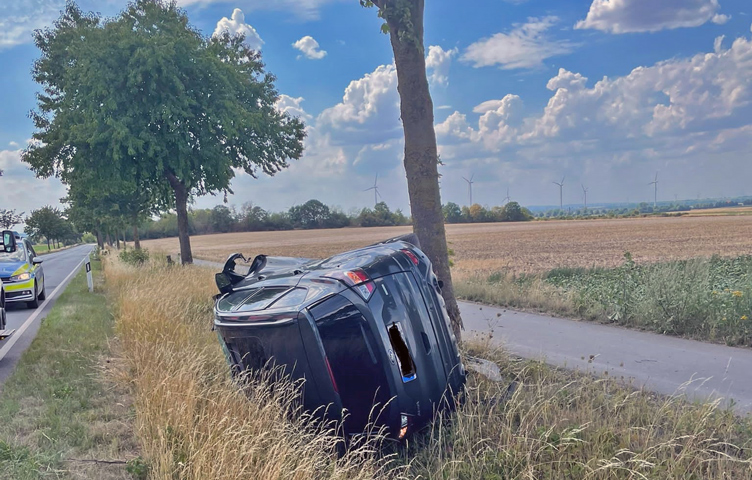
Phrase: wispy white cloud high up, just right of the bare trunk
[526,46]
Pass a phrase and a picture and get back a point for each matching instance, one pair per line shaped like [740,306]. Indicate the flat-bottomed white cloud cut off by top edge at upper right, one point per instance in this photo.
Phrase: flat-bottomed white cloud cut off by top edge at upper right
[624,16]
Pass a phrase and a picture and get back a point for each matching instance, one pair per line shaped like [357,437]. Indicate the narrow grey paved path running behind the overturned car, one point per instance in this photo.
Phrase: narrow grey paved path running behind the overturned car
[659,363]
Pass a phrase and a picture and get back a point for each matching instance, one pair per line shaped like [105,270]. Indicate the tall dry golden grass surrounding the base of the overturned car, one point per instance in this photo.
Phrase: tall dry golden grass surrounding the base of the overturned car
[542,423]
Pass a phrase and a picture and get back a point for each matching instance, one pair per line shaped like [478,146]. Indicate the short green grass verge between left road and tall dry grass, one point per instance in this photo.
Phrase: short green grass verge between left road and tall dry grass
[61,416]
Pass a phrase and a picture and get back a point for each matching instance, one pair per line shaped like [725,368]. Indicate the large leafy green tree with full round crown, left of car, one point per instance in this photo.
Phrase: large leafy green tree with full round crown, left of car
[145,98]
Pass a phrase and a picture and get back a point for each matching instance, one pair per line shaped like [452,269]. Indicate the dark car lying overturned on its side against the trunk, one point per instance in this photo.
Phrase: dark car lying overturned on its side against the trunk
[366,329]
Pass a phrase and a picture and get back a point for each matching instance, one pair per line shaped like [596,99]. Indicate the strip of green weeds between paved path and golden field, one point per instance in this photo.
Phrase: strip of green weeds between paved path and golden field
[705,299]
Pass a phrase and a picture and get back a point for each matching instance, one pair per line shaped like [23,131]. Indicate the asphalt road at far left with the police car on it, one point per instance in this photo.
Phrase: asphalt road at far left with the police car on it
[59,268]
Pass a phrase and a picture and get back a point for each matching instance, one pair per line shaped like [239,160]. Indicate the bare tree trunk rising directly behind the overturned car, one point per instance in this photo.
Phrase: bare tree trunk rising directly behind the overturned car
[421,154]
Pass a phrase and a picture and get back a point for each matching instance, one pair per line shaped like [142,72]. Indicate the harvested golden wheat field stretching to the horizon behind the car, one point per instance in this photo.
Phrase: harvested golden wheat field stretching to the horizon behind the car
[519,247]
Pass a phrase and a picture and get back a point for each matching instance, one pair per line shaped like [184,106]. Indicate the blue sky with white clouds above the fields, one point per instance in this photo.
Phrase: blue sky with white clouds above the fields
[604,92]
